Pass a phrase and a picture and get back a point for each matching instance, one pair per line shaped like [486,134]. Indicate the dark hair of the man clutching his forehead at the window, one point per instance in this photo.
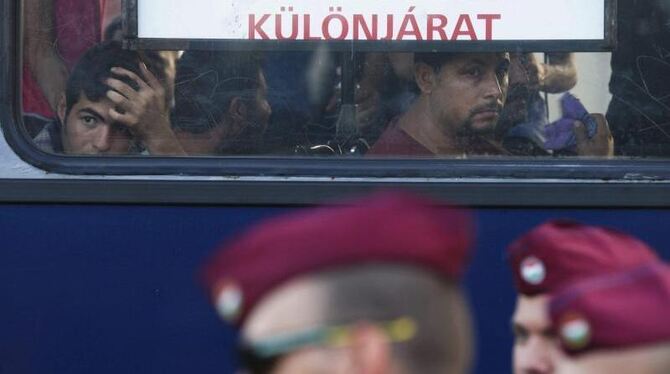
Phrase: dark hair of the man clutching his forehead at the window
[94,67]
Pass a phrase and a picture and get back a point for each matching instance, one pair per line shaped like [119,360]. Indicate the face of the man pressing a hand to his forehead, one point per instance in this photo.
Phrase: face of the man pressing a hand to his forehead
[88,129]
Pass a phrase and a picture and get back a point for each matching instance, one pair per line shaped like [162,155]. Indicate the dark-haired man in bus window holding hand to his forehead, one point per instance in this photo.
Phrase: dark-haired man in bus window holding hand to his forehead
[108,109]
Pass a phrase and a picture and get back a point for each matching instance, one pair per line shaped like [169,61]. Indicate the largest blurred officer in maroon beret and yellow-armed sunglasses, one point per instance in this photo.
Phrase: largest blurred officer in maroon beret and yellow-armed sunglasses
[371,287]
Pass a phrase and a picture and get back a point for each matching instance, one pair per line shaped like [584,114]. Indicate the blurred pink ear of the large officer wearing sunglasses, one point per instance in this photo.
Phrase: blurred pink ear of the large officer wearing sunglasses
[370,350]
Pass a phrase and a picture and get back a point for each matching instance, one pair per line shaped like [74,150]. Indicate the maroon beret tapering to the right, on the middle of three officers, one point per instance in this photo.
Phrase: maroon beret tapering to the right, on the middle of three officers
[559,253]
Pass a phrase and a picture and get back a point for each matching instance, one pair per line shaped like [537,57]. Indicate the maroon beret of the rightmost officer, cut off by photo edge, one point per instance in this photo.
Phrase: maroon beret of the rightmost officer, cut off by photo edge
[620,310]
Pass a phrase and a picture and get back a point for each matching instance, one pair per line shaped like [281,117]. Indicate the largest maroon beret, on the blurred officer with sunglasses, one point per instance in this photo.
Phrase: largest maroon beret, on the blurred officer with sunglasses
[385,228]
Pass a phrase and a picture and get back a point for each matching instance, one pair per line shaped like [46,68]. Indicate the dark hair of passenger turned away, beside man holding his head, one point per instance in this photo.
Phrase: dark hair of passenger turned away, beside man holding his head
[206,83]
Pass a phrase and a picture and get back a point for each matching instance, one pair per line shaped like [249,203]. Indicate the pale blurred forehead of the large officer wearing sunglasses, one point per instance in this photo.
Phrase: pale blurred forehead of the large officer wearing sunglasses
[296,305]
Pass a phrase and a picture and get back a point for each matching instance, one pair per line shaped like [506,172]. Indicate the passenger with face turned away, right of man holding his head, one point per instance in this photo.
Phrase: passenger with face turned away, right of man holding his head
[220,103]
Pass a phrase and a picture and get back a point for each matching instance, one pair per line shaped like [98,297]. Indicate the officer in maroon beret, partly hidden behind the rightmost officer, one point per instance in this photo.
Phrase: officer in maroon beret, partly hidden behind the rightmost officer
[552,257]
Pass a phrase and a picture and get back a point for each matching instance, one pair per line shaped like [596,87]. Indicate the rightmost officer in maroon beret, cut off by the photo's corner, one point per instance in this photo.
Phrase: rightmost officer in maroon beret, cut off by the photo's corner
[616,324]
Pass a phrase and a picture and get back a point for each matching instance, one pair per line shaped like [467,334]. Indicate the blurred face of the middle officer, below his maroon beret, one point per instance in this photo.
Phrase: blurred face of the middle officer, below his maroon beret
[535,348]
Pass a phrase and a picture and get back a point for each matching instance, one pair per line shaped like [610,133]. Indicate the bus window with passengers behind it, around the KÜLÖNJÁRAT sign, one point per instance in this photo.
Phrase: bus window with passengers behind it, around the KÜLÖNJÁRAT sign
[86,92]
